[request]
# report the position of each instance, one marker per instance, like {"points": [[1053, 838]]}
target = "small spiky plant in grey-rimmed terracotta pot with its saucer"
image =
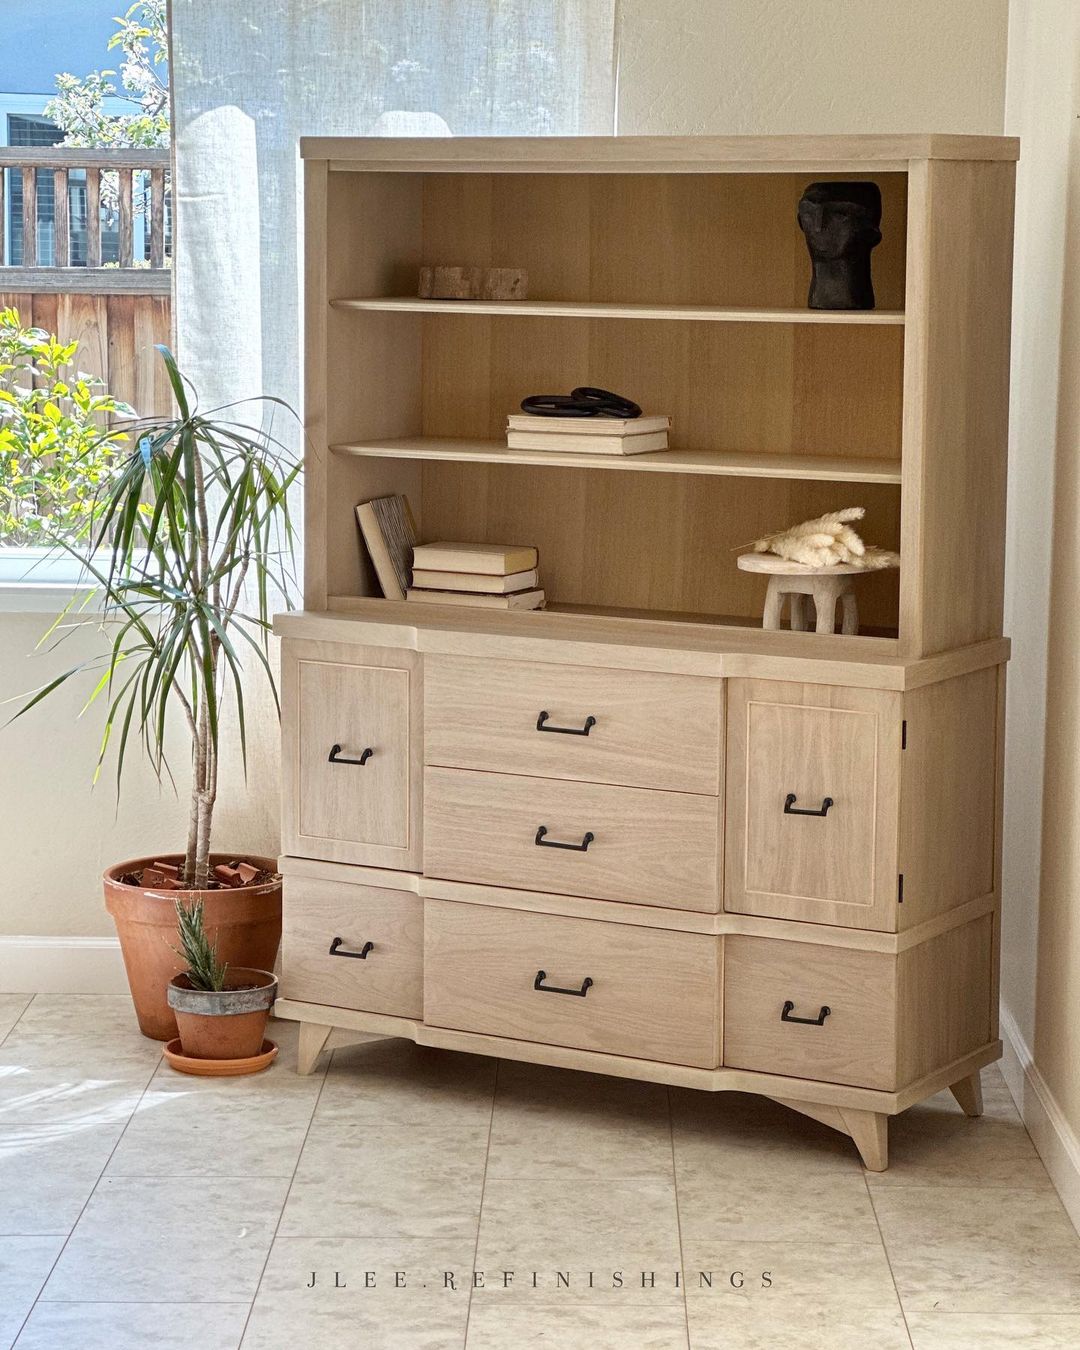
{"points": [[221, 1010]]}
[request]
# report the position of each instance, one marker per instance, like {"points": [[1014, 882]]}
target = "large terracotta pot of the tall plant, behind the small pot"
{"points": [[245, 924]]}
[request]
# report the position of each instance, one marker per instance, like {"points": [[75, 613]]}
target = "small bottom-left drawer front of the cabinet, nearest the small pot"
{"points": [[327, 924]]}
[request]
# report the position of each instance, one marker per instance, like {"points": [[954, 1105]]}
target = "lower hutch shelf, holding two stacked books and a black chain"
{"points": [[715, 462]]}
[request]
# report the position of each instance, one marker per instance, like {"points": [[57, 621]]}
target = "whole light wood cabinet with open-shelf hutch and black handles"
{"points": [[637, 834]]}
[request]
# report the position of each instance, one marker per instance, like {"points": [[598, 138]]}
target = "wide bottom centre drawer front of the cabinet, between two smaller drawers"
{"points": [[654, 994]]}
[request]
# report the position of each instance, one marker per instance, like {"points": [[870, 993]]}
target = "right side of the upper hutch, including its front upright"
{"points": [[956, 404]]}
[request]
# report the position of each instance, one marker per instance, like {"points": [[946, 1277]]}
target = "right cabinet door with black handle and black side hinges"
{"points": [[813, 804]]}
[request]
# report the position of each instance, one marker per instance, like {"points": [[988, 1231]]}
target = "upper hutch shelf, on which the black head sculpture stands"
{"points": [[607, 310]]}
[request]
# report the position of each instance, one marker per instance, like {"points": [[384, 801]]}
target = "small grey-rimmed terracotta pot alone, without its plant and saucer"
{"points": [[223, 1024]]}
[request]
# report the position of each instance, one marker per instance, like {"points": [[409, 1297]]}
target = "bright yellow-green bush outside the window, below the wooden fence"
{"points": [[59, 453]]}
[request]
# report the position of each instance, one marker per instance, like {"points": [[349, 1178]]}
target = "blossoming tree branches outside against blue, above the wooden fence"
{"points": [[144, 75]]}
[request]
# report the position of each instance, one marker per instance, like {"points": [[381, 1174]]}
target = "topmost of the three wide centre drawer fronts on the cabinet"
{"points": [[641, 730]]}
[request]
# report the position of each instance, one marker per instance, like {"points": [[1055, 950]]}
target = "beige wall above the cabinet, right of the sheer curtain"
{"points": [[773, 67]]}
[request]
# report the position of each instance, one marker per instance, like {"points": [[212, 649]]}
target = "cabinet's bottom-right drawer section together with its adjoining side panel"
{"points": [[892, 1020]]}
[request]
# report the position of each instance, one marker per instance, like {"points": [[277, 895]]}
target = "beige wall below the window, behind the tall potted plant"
{"points": [[57, 835]]}
